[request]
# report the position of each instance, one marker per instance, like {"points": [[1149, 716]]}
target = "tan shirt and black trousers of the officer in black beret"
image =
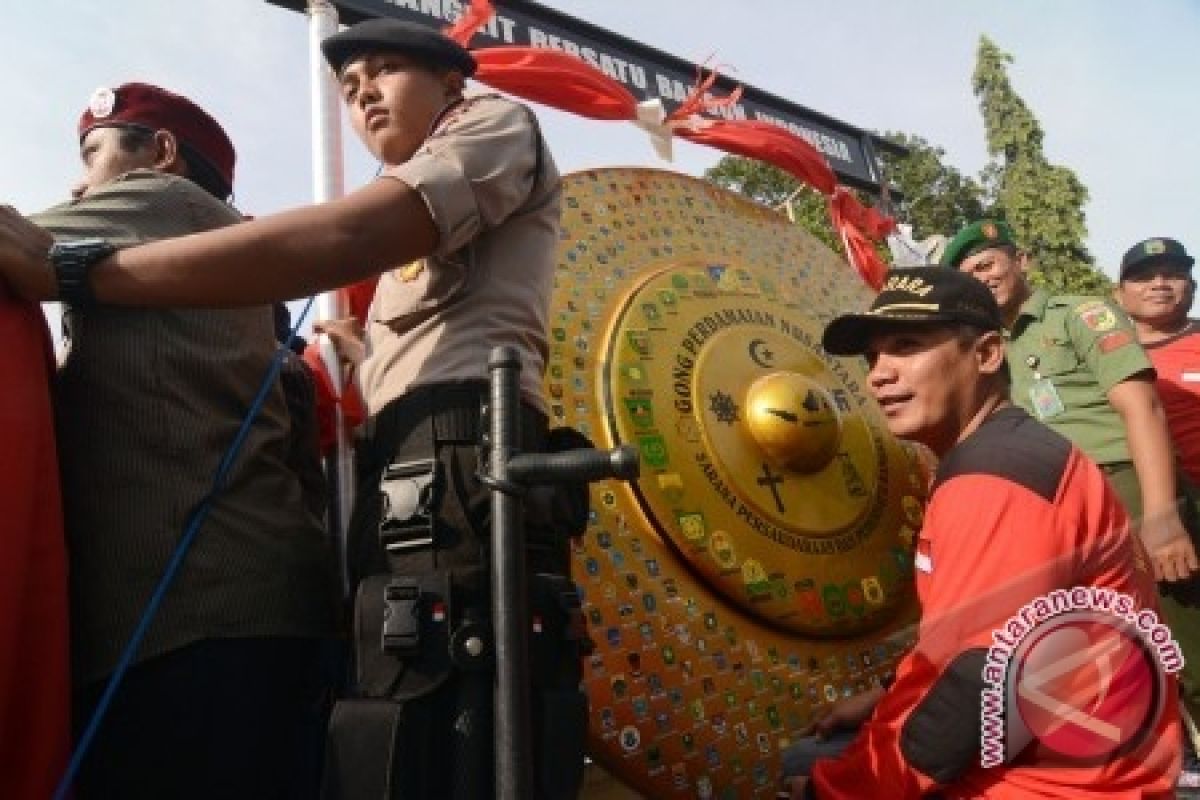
{"points": [[493, 191]]}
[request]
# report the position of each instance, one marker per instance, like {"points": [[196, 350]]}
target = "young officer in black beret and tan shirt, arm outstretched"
{"points": [[464, 224]]}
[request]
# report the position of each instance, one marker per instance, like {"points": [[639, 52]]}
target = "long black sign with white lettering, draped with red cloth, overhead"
{"points": [[645, 71]]}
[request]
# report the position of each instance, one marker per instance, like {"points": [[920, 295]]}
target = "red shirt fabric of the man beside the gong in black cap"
{"points": [[979, 567]]}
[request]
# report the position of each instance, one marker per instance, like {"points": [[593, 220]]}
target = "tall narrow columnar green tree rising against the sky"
{"points": [[1043, 202]]}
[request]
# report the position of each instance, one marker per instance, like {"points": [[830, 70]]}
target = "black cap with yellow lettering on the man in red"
{"points": [[922, 296]]}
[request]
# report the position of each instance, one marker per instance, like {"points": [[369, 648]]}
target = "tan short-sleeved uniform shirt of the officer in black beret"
{"points": [[494, 194]]}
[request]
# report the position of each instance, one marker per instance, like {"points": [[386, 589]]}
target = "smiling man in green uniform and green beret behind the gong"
{"points": [[1078, 368]]}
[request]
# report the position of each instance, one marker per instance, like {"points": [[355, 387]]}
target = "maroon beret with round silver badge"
{"points": [[139, 105]]}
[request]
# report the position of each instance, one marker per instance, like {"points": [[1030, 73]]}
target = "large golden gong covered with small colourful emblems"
{"points": [[761, 564]]}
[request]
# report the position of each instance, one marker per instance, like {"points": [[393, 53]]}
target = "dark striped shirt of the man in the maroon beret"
{"points": [[147, 404]]}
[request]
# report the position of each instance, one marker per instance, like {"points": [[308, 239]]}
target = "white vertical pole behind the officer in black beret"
{"points": [[328, 183]]}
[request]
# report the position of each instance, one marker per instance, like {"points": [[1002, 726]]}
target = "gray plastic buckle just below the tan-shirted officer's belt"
{"points": [[410, 497]]}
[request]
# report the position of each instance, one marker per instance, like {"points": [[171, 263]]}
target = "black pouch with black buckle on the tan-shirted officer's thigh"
{"points": [[403, 629]]}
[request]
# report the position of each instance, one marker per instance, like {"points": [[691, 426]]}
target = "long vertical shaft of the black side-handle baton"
{"points": [[511, 616]]}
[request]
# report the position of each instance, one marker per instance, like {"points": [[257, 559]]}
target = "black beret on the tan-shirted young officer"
{"points": [[383, 35]]}
